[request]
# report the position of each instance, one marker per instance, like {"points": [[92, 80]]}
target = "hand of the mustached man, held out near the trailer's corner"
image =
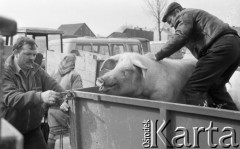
{"points": [[50, 97]]}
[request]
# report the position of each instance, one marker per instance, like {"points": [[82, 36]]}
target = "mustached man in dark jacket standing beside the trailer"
{"points": [[26, 89]]}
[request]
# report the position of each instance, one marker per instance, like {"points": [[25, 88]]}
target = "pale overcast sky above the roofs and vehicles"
{"points": [[104, 16]]}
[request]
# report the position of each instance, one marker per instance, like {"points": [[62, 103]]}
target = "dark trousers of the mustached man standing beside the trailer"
{"points": [[34, 140]]}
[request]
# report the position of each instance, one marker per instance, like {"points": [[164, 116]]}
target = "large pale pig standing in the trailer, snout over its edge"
{"points": [[135, 75]]}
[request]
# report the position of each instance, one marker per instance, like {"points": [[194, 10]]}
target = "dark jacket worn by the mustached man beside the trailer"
{"points": [[22, 105]]}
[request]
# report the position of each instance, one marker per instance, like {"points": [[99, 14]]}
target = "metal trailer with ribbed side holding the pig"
{"points": [[100, 121]]}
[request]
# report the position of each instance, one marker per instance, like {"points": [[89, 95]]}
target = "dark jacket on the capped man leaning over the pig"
{"points": [[197, 30]]}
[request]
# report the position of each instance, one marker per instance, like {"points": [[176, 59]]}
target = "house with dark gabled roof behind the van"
{"points": [[76, 30]]}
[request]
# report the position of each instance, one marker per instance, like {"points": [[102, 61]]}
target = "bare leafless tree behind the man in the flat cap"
{"points": [[156, 9]]}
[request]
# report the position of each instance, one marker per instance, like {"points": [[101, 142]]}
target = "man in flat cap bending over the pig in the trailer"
{"points": [[213, 43]]}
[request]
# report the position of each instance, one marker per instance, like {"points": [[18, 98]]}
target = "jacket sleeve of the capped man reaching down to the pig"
{"points": [[184, 26]]}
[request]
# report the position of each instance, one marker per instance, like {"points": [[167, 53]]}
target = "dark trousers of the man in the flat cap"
{"points": [[212, 72]]}
